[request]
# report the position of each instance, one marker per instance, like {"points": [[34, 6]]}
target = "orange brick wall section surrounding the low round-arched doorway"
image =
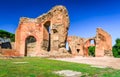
{"points": [[28, 27]]}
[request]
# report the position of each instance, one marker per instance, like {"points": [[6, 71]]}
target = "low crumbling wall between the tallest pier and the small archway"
{"points": [[79, 46]]}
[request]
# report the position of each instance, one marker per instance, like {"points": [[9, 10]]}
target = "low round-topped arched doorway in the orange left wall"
{"points": [[30, 44]]}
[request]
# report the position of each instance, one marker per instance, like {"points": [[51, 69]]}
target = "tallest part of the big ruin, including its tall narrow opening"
{"points": [[57, 22]]}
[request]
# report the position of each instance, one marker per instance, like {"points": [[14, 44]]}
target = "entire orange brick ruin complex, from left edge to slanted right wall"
{"points": [[48, 34]]}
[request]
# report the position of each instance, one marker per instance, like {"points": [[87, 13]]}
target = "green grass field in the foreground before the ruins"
{"points": [[42, 67]]}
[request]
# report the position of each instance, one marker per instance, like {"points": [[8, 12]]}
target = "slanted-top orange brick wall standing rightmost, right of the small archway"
{"points": [[103, 43]]}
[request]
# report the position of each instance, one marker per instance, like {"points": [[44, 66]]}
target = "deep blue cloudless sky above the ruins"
{"points": [[85, 15]]}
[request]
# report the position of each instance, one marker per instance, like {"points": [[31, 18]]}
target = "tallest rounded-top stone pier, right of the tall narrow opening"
{"points": [[59, 28]]}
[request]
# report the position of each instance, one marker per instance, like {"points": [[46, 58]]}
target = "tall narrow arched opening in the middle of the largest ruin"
{"points": [[46, 36]]}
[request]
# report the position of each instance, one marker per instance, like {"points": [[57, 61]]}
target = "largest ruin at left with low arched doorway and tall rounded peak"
{"points": [[47, 32]]}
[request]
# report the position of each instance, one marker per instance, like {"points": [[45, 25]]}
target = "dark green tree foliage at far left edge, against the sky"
{"points": [[7, 34]]}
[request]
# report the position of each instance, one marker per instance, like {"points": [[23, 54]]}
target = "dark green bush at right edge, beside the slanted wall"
{"points": [[116, 48]]}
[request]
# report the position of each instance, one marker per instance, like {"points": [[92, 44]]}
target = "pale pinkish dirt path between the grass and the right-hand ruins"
{"points": [[95, 61]]}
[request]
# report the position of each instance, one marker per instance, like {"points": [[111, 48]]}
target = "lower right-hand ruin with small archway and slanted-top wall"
{"points": [[102, 42]]}
